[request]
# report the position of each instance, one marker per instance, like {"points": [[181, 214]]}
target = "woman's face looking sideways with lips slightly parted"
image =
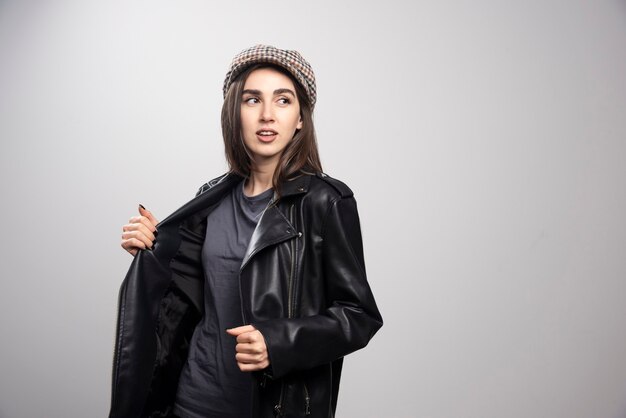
{"points": [[270, 115]]}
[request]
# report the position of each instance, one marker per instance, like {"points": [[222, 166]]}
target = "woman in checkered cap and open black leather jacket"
{"points": [[248, 297]]}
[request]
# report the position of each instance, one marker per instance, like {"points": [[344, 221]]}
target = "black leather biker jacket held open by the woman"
{"points": [[303, 285]]}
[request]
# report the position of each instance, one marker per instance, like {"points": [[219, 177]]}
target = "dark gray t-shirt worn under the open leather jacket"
{"points": [[211, 385]]}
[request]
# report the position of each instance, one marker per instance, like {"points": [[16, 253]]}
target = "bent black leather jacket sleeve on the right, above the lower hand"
{"points": [[351, 317]]}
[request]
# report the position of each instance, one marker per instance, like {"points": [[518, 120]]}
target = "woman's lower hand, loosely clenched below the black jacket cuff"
{"points": [[251, 349]]}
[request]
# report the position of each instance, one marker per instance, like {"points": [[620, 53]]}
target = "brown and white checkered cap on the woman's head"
{"points": [[291, 61]]}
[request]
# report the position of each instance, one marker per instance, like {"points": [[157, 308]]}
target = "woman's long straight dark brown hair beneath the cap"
{"points": [[299, 156]]}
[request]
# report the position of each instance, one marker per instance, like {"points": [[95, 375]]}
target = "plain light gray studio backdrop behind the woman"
{"points": [[485, 142]]}
